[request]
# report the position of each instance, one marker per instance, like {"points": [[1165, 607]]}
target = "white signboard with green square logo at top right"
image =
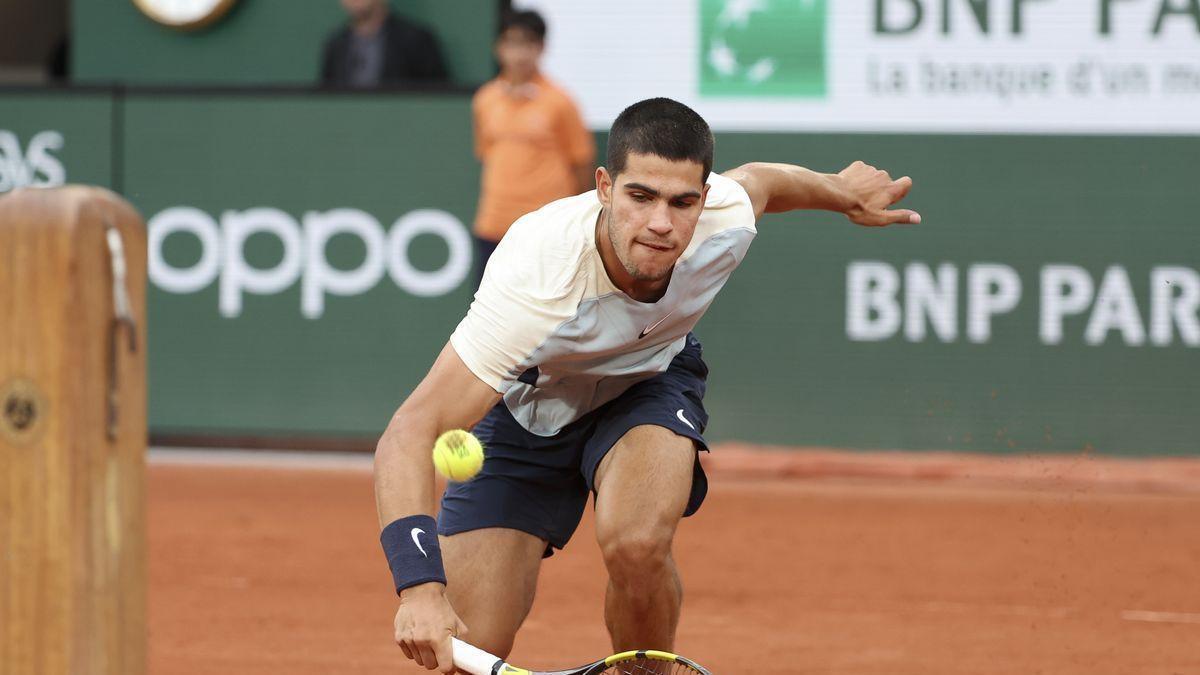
{"points": [[1075, 67]]}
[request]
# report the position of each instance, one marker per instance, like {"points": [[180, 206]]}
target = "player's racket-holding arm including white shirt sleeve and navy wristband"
{"points": [[527, 291]]}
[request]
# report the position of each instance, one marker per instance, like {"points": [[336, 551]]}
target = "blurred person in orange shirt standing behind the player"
{"points": [[529, 135]]}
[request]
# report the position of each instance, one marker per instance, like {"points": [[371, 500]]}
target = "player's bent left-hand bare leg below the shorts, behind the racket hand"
{"points": [[491, 578]]}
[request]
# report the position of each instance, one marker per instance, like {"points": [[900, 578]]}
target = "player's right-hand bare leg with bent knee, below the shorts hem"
{"points": [[643, 489]]}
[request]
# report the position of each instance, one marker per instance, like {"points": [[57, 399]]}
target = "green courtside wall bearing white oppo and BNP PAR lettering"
{"points": [[308, 258]]}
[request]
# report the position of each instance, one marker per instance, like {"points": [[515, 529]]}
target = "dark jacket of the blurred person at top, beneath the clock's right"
{"points": [[411, 53]]}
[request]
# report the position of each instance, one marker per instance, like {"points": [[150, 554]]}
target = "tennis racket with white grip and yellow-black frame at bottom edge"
{"points": [[645, 662]]}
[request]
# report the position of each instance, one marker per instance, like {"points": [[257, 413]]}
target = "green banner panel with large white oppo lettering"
{"points": [[309, 256]]}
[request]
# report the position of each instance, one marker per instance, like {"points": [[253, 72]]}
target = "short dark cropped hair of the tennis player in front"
{"points": [[663, 128]]}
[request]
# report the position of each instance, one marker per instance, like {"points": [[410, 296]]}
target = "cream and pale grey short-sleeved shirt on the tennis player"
{"points": [[551, 333]]}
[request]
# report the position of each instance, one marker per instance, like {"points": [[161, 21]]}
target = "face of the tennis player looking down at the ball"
{"points": [[651, 213]]}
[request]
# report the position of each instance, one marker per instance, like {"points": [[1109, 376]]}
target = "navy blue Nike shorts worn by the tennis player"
{"points": [[541, 485]]}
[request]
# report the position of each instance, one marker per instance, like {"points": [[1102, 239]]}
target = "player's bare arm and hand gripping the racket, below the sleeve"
{"points": [[451, 397]]}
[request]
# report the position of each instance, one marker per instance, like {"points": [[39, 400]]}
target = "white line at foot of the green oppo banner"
{"points": [[262, 459]]}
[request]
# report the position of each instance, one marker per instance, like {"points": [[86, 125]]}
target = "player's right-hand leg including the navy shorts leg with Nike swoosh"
{"points": [[641, 464]]}
